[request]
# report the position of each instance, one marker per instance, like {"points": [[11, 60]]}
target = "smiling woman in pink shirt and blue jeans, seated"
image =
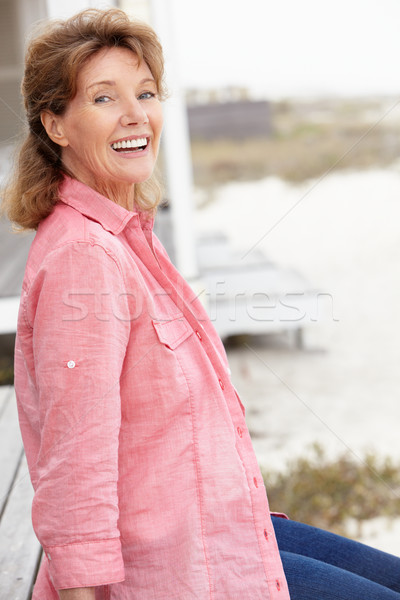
{"points": [[146, 484]]}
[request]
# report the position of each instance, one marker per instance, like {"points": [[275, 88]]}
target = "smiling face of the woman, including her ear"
{"points": [[110, 132]]}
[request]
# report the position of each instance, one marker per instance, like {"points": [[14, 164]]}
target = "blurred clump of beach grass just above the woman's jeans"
{"points": [[334, 493]]}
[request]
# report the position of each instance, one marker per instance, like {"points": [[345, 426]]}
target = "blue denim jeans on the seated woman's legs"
{"points": [[323, 566]]}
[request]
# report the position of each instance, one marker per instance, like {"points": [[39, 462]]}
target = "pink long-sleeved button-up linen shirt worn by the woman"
{"points": [[146, 483]]}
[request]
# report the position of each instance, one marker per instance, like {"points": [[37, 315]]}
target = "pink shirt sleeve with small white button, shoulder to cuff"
{"points": [[77, 310]]}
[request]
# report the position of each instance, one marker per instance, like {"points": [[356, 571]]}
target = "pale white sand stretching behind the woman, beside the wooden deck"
{"points": [[342, 390]]}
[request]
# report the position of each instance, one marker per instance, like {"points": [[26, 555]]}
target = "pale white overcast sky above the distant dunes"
{"points": [[290, 47]]}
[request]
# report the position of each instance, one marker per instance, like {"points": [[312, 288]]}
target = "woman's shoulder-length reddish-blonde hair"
{"points": [[52, 63]]}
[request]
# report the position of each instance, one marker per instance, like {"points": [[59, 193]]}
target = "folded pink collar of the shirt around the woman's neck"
{"points": [[111, 216]]}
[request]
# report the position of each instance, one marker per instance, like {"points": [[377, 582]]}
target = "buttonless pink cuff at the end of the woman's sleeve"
{"points": [[85, 564]]}
